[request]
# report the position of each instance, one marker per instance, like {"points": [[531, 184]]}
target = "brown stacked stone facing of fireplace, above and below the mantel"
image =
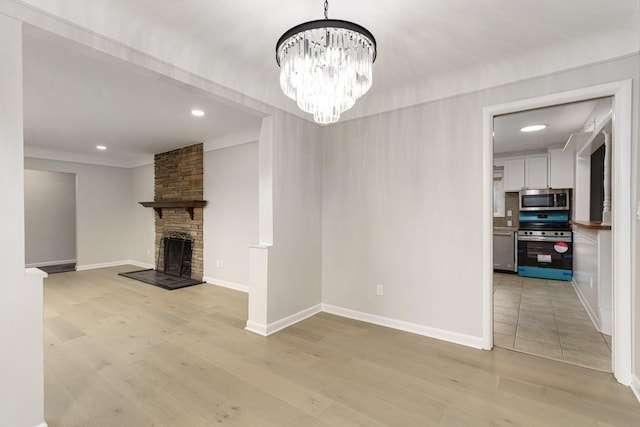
{"points": [[178, 176]]}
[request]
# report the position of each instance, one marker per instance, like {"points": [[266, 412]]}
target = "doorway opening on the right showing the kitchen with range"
{"points": [[539, 309]]}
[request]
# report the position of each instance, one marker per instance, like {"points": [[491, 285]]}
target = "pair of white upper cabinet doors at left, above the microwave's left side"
{"points": [[525, 173]]}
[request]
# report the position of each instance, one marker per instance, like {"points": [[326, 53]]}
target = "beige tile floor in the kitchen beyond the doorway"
{"points": [[546, 318]]}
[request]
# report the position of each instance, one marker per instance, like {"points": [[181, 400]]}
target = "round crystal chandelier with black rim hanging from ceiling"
{"points": [[325, 65]]}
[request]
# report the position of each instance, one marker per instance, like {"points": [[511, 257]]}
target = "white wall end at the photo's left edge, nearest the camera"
{"points": [[21, 354]]}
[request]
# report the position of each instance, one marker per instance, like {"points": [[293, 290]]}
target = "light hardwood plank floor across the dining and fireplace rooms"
{"points": [[123, 353]]}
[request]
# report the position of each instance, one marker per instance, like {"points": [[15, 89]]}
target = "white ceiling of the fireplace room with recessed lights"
{"points": [[75, 100]]}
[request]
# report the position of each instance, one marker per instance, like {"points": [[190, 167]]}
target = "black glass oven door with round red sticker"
{"points": [[545, 255]]}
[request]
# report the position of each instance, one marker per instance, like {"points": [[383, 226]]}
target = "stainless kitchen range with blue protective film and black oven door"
{"points": [[545, 245]]}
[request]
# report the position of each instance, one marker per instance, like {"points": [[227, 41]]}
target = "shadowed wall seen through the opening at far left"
{"points": [[50, 217]]}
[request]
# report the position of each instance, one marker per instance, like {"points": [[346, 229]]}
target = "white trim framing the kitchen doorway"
{"points": [[621, 209]]}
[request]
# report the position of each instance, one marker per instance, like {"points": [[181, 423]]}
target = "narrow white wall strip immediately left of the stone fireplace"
{"points": [[142, 220]]}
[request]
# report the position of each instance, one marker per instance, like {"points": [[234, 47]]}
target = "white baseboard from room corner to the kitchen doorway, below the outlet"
{"points": [[454, 337]]}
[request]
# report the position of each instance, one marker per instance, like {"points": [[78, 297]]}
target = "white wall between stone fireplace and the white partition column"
{"points": [[231, 214]]}
